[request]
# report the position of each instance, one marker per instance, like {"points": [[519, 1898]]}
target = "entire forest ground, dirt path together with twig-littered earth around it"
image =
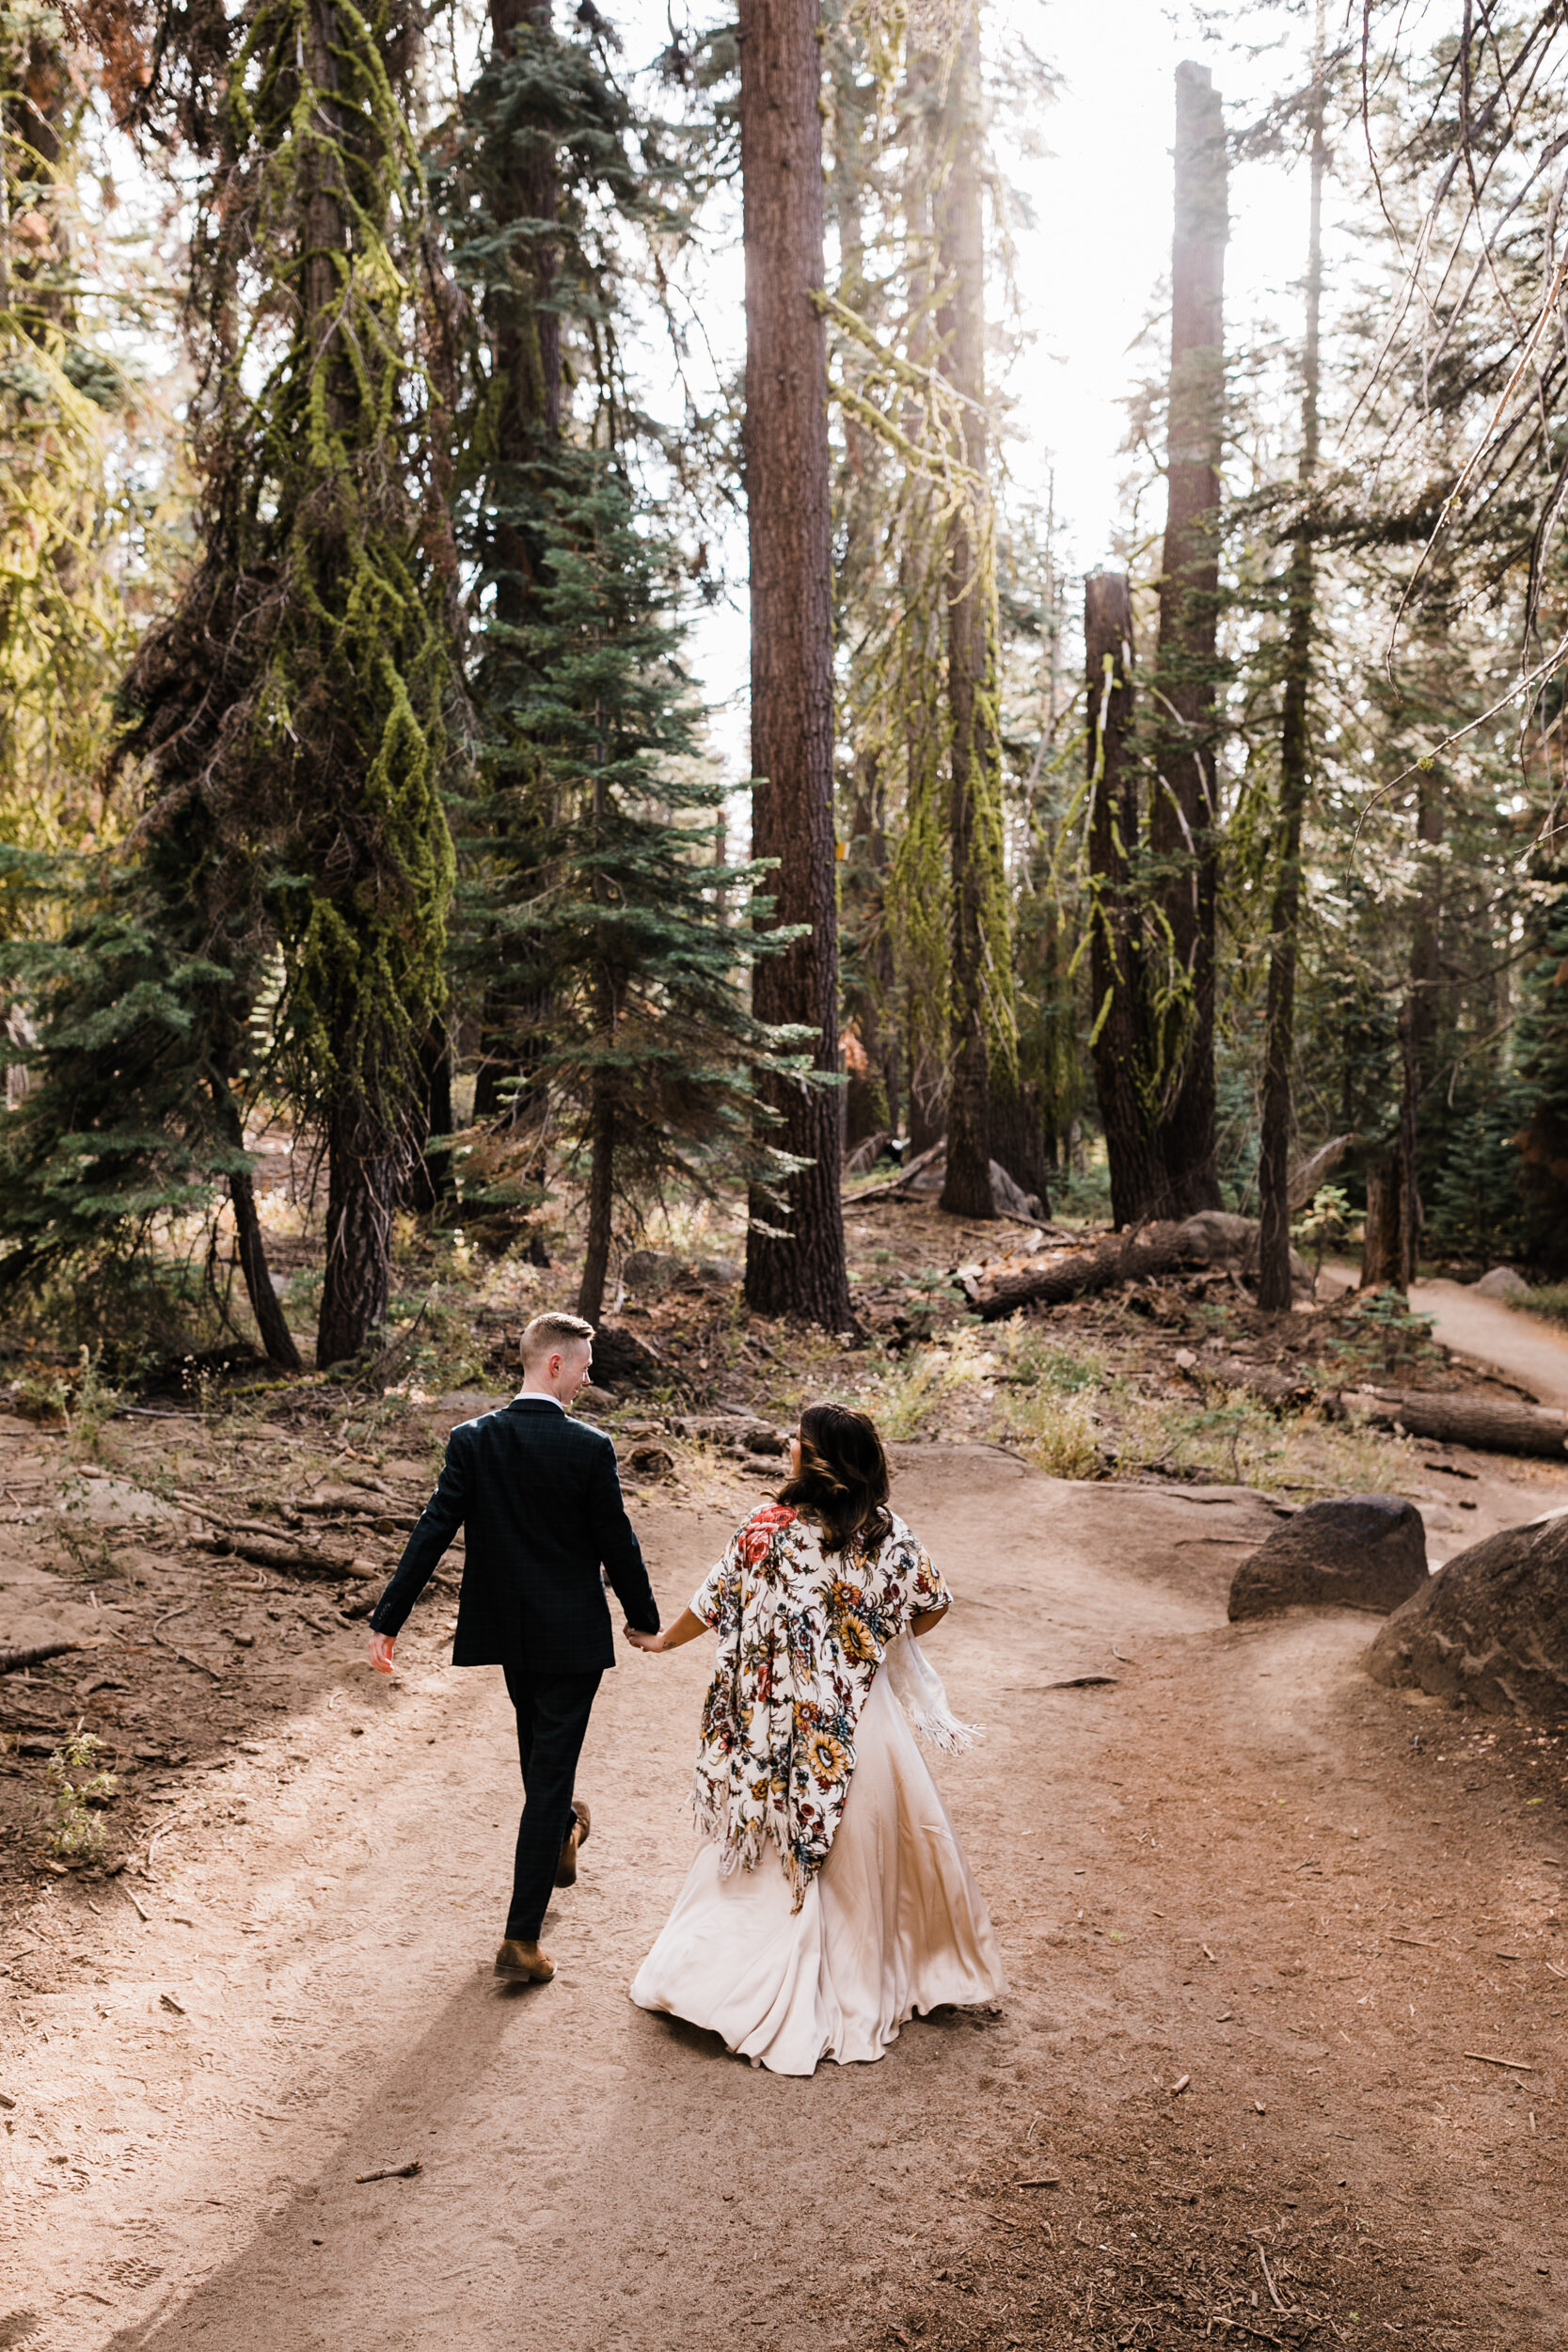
{"points": [[1266, 1923]]}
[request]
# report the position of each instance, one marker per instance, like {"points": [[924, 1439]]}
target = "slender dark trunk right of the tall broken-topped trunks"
{"points": [[1294, 784]]}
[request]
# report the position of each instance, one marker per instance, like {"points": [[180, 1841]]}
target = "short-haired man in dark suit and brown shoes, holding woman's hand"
{"points": [[542, 1504]]}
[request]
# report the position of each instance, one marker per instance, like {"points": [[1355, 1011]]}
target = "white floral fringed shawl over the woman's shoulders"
{"points": [[800, 1643]]}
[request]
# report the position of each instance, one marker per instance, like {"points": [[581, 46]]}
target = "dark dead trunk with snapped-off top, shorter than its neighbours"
{"points": [[1120, 1020]]}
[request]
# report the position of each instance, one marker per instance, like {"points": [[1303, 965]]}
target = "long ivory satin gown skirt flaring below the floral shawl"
{"points": [[892, 1925]]}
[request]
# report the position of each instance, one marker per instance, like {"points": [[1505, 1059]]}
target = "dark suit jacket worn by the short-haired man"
{"points": [[542, 1504]]}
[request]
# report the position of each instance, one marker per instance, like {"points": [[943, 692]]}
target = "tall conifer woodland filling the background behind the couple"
{"points": [[359, 801]]}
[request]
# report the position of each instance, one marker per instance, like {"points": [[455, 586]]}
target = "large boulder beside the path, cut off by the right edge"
{"points": [[1492, 1629]]}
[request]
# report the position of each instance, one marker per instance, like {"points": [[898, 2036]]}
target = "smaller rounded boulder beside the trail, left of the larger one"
{"points": [[1362, 1551]]}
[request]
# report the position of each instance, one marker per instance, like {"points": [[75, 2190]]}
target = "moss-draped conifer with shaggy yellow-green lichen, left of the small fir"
{"points": [[304, 690]]}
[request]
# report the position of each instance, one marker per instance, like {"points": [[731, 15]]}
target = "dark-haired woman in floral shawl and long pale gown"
{"points": [[831, 1897]]}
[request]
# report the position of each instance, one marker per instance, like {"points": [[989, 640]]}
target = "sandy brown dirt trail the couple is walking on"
{"points": [[1240, 1866]]}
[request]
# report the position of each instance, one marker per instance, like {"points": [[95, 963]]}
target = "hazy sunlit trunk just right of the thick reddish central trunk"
{"points": [[972, 655]]}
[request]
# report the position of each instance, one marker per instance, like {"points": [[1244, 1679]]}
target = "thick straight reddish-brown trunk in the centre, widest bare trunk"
{"points": [[796, 1271]]}
